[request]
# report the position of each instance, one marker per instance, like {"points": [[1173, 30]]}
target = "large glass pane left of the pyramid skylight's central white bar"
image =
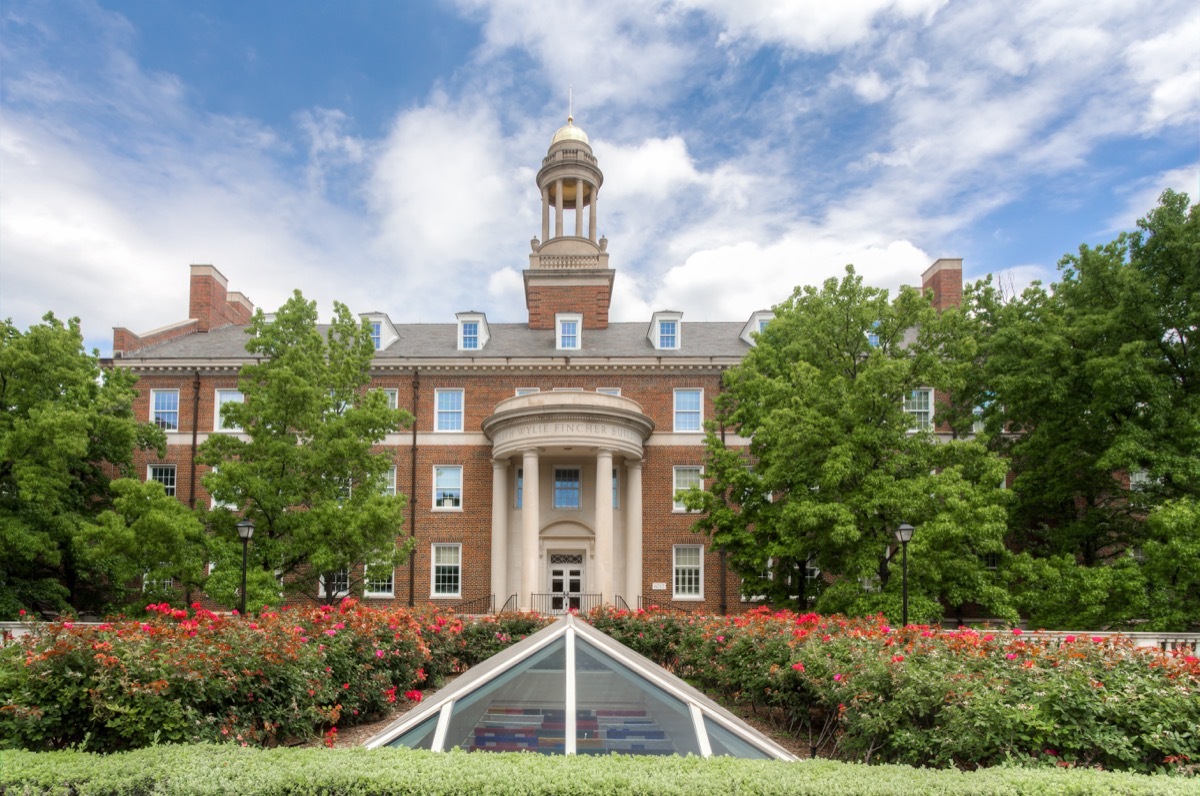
{"points": [[524, 710]]}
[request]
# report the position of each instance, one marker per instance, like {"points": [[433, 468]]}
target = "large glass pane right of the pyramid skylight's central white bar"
{"points": [[620, 711]]}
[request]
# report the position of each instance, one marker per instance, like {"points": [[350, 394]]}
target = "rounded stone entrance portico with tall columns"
{"points": [[567, 492]]}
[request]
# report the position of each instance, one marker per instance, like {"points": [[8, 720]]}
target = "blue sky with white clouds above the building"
{"points": [[383, 154]]}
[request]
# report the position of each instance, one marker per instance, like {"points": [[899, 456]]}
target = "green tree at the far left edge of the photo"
{"points": [[67, 427]]}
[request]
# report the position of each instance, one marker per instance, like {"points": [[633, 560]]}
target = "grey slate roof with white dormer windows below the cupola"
{"points": [[508, 340]]}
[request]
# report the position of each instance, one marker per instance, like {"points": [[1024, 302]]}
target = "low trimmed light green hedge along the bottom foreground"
{"points": [[200, 770]]}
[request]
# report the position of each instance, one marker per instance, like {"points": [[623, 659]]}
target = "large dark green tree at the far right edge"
{"points": [[1096, 399]]}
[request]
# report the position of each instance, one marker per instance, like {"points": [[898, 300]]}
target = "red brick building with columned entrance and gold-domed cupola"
{"points": [[547, 456]]}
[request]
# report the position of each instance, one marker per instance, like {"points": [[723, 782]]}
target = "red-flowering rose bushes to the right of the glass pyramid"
{"points": [[922, 696]]}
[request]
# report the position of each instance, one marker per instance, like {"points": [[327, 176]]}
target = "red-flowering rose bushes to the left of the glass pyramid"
{"points": [[189, 677]]}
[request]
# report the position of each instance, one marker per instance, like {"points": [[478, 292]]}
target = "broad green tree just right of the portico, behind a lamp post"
{"points": [[836, 463]]}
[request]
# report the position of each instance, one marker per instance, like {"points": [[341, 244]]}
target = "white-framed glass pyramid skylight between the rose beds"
{"points": [[573, 690]]}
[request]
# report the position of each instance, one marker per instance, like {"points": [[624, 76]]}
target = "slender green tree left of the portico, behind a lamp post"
{"points": [[303, 469]]}
